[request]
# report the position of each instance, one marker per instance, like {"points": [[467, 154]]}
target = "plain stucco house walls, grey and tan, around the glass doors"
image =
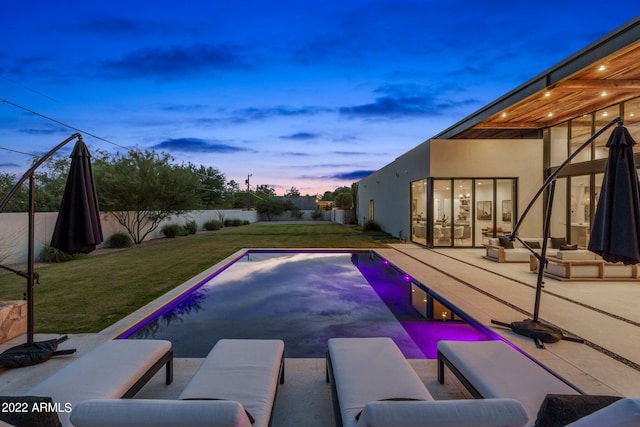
{"points": [[389, 187]]}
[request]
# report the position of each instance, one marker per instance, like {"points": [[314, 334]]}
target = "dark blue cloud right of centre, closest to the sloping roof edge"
{"points": [[399, 101]]}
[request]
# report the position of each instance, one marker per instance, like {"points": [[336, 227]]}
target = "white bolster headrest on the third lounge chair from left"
{"points": [[444, 413]]}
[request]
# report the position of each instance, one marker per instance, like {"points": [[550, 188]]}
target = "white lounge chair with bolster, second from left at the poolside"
{"points": [[235, 386]]}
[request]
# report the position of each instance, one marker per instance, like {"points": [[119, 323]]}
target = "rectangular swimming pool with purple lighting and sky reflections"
{"points": [[305, 298]]}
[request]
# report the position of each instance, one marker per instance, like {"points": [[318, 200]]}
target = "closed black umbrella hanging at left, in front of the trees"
{"points": [[78, 227]]}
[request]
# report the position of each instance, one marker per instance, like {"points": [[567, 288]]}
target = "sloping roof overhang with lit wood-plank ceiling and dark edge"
{"points": [[602, 74]]}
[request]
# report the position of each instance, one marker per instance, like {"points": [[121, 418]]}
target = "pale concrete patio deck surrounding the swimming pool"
{"points": [[602, 313]]}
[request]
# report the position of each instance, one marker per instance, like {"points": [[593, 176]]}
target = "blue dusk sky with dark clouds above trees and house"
{"points": [[312, 95]]}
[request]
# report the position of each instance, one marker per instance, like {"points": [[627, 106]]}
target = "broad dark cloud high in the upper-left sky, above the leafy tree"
{"points": [[175, 61]]}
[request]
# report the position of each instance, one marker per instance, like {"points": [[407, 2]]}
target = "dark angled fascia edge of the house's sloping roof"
{"points": [[617, 39]]}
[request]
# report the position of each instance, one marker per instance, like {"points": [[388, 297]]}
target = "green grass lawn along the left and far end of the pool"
{"points": [[88, 294]]}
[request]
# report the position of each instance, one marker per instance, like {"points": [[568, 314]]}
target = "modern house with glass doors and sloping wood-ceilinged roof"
{"points": [[471, 181]]}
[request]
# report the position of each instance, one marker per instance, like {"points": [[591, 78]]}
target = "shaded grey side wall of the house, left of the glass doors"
{"points": [[389, 188]]}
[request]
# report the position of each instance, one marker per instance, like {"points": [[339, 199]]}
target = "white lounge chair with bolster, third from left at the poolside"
{"points": [[372, 384]]}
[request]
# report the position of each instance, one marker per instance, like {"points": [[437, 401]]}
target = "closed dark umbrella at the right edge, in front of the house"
{"points": [[615, 233]]}
